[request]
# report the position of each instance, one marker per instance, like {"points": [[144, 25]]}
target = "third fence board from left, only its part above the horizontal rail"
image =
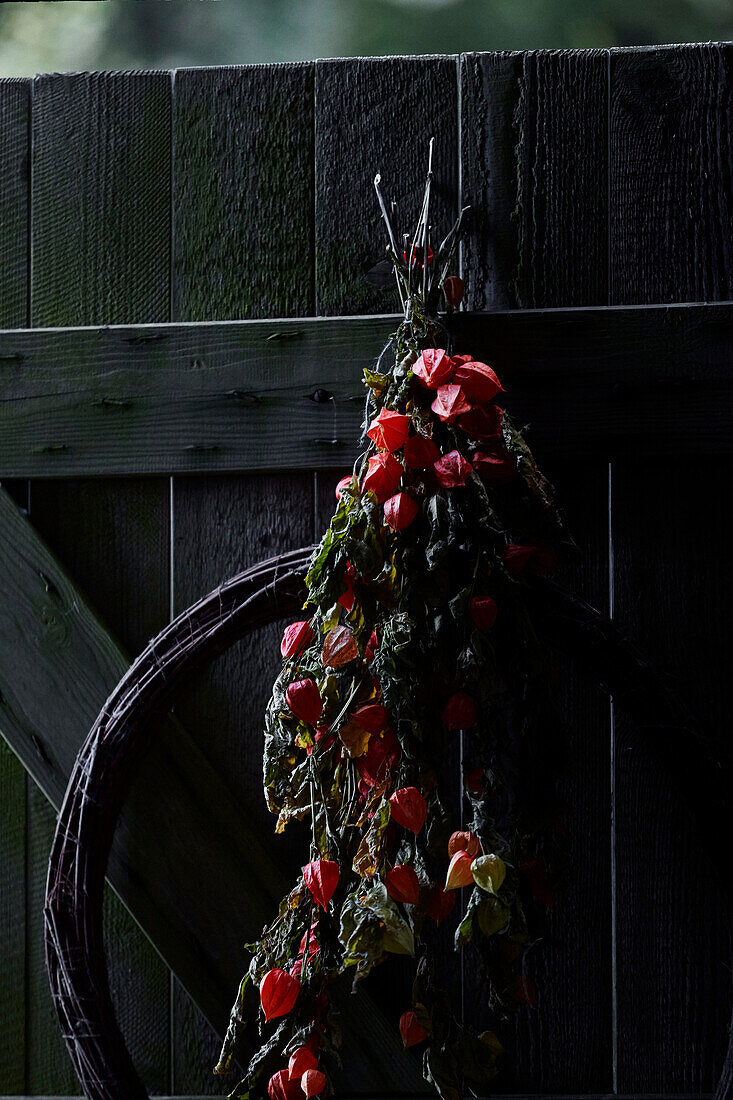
{"points": [[244, 192]]}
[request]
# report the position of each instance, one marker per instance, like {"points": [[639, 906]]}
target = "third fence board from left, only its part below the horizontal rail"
{"points": [[224, 525]]}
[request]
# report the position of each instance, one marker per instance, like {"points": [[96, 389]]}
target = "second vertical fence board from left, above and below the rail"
{"points": [[102, 232]]}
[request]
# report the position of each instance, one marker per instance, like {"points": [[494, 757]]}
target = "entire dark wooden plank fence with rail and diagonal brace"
{"points": [[155, 461]]}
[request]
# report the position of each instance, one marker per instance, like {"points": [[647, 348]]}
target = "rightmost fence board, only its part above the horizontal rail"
{"points": [[672, 174]]}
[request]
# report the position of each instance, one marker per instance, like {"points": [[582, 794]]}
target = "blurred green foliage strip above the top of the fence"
{"points": [[104, 35]]}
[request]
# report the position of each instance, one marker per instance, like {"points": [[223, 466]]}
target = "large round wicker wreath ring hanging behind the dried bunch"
{"points": [[97, 788]]}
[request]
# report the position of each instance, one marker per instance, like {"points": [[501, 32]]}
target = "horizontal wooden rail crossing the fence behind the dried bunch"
{"points": [[262, 395]]}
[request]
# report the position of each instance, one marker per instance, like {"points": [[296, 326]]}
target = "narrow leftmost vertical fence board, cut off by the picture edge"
{"points": [[15, 146]]}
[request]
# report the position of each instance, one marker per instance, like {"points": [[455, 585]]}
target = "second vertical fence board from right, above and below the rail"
{"points": [[534, 170]]}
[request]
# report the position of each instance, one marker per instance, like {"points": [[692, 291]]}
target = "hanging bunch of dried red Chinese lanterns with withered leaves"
{"points": [[418, 641]]}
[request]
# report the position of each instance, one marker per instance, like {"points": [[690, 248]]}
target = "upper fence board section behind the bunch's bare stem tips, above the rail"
{"points": [[400, 104]]}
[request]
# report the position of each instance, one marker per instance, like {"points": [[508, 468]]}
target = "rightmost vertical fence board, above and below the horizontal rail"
{"points": [[671, 188]]}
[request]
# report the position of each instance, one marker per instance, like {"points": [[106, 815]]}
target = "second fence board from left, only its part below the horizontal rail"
{"points": [[115, 537]]}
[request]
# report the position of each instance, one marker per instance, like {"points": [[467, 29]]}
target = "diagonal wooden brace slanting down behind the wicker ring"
{"points": [[58, 667]]}
